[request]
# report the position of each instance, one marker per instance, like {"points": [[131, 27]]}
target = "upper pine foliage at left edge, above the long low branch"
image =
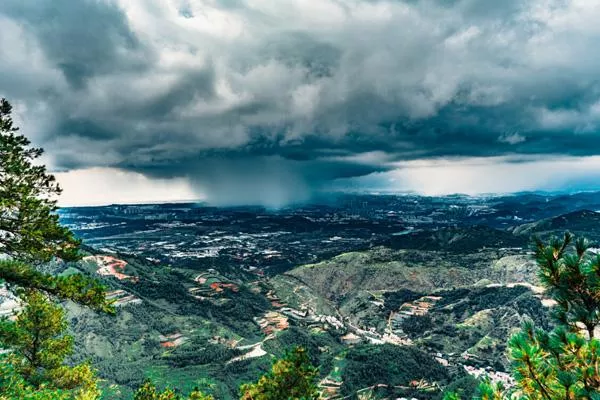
{"points": [[29, 227]]}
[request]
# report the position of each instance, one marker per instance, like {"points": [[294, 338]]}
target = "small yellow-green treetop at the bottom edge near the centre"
{"points": [[292, 377]]}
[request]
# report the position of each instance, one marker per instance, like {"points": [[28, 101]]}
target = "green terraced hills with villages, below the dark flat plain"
{"points": [[216, 330]]}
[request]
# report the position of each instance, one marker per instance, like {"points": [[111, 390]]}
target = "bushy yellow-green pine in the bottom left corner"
{"points": [[39, 347]]}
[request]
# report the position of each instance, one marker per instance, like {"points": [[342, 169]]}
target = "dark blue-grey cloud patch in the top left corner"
{"points": [[81, 38]]}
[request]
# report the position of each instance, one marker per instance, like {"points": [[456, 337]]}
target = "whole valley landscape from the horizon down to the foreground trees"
{"points": [[401, 295]]}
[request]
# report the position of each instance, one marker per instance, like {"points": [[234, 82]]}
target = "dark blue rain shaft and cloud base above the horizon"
{"points": [[272, 181]]}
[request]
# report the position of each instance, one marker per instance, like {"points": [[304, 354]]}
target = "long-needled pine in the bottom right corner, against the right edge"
{"points": [[564, 363]]}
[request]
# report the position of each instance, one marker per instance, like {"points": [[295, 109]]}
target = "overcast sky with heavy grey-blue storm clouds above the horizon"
{"points": [[268, 101]]}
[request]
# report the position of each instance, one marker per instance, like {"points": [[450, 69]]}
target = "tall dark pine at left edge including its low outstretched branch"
{"points": [[29, 228]]}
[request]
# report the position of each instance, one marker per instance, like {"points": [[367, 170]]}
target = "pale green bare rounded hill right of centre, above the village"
{"points": [[426, 271]]}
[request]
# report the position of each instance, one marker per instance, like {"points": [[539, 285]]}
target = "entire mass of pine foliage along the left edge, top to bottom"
{"points": [[35, 366]]}
